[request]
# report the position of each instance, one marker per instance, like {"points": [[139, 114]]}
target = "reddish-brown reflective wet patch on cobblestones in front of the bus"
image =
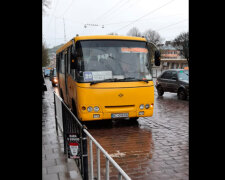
{"points": [[129, 145]]}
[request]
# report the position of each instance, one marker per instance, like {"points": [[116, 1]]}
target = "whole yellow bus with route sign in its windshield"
{"points": [[106, 77]]}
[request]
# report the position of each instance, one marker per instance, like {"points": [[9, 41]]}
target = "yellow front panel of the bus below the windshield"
{"points": [[114, 100]]}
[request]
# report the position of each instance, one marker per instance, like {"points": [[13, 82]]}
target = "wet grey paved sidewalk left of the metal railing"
{"points": [[55, 165]]}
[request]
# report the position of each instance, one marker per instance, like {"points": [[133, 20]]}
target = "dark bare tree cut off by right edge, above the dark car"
{"points": [[181, 42]]}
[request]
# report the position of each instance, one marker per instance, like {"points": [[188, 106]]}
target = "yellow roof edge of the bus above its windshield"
{"points": [[78, 38]]}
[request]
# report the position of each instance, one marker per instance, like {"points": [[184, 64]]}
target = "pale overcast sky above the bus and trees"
{"points": [[168, 17]]}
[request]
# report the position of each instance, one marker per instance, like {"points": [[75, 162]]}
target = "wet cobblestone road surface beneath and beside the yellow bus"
{"points": [[151, 148]]}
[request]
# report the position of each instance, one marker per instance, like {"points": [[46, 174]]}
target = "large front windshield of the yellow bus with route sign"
{"points": [[102, 60]]}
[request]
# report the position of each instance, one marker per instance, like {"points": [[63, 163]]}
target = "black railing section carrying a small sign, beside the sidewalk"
{"points": [[75, 140]]}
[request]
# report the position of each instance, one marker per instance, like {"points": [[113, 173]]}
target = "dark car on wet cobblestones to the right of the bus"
{"points": [[174, 81]]}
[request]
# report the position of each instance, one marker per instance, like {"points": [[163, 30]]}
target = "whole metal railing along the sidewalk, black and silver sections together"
{"points": [[76, 138]]}
